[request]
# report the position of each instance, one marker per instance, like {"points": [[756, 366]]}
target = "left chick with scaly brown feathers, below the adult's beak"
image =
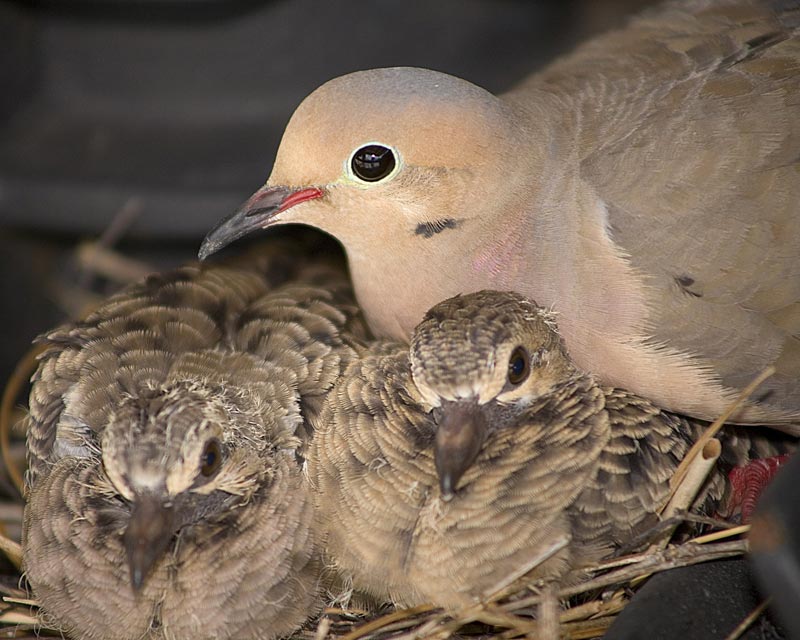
{"points": [[165, 496]]}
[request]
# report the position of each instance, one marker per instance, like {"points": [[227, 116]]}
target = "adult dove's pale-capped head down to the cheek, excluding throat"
{"points": [[404, 150]]}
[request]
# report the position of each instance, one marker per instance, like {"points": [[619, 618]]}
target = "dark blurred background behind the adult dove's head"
{"points": [[148, 121]]}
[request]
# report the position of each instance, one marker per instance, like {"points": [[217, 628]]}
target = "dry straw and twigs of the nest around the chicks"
{"points": [[583, 605]]}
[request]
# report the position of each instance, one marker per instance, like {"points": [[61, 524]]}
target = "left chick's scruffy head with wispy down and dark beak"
{"points": [[189, 451]]}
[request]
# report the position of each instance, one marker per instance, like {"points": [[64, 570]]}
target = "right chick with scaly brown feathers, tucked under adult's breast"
{"points": [[441, 470]]}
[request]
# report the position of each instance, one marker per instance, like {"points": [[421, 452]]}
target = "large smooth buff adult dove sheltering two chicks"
{"points": [[645, 186]]}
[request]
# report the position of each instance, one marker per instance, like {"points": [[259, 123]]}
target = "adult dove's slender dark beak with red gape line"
{"points": [[257, 213]]}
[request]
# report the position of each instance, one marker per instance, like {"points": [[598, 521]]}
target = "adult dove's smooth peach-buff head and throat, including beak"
{"points": [[393, 162]]}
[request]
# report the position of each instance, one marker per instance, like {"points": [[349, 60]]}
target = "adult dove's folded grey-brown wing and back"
{"points": [[686, 129]]}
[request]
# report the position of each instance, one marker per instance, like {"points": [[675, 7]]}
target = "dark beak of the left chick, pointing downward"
{"points": [[149, 533]]}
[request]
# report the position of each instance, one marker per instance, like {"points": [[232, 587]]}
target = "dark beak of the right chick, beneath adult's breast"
{"points": [[459, 438]]}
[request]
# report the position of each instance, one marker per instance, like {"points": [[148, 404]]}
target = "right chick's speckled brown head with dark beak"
{"points": [[479, 361]]}
